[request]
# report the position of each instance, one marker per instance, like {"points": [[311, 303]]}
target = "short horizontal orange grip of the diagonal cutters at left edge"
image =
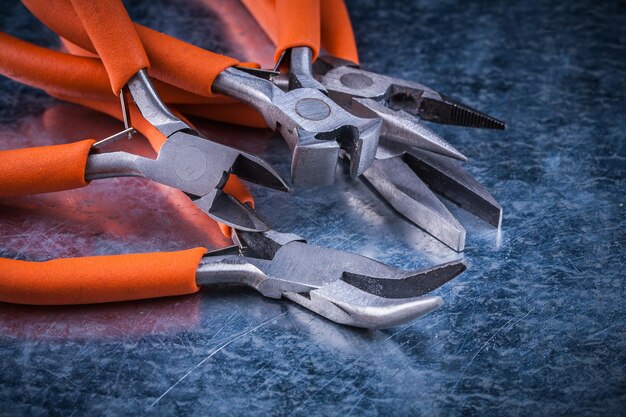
{"points": [[44, 169]]}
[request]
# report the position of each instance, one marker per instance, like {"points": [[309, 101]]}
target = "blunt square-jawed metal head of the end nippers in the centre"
{"points": [[314, 126]]}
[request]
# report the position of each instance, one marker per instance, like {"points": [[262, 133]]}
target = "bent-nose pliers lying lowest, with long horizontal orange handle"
{"points": [[343, 287]]}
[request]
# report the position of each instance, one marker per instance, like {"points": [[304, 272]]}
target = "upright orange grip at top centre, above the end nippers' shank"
{"points": [[298, 24]]}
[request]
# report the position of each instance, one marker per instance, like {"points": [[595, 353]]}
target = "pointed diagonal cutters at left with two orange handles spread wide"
{"points": [[187, 160]]}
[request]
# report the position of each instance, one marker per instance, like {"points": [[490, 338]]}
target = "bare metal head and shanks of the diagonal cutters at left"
{"points": [[188, 161]]}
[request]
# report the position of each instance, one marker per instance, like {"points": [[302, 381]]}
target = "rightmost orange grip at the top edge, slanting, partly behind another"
{"points": [[337, 37]]}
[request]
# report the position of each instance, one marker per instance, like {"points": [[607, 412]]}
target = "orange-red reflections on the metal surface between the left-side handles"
{"points": [[114, 216]]}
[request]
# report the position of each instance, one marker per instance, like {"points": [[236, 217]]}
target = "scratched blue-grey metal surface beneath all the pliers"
{"points": [[536, 326]]}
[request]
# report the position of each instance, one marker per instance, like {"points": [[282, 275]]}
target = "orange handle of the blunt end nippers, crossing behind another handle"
{"points": [[173, 61]]}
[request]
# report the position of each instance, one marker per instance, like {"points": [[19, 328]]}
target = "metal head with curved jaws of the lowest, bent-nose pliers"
{"points": [[343, 287]]}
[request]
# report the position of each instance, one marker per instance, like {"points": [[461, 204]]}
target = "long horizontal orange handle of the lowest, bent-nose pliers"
{"points": [[99, 279]]}
